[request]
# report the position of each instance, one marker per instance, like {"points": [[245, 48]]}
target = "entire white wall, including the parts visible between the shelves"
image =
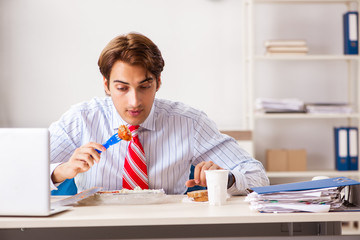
{"points": [[49, 51]]}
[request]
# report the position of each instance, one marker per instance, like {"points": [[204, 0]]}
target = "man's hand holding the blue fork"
{"points": [[82, 160]]}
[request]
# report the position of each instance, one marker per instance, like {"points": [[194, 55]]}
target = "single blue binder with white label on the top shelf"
{"points": [[351, 34]]}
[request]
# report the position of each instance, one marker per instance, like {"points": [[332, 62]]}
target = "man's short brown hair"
{"points": [[133, 49]]}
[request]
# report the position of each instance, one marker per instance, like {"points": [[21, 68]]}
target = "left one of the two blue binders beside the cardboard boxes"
{"points": [[341, 148]]}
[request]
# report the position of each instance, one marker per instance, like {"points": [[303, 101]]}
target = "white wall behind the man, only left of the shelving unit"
{"points": [[49, 51]]}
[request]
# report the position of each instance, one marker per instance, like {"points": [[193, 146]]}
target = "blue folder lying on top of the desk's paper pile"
{"points": [[308, 185]]}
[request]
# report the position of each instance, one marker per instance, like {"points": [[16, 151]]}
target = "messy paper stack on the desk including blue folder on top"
{"points": [[311, 196]]}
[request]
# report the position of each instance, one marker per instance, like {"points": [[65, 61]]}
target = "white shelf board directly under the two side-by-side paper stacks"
{"points": [[303, 116]]}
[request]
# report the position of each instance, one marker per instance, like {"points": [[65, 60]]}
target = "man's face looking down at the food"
{"points": [[132, 90]]}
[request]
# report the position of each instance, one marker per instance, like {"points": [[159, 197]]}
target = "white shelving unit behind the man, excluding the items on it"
{"points": [[263, 74]]}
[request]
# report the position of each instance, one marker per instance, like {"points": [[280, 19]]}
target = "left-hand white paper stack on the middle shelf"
{"points": [[271, 105]]}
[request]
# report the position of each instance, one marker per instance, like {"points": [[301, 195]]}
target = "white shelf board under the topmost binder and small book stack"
{"points": [[308, 57]]}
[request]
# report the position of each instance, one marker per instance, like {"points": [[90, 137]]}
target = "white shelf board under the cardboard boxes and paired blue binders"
{"points": [[313, 174]]}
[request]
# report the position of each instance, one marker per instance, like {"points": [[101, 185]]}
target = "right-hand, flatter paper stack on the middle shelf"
{"points": [[328, 108]]}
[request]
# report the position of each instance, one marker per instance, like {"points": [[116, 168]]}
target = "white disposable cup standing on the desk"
{"points": [[216, 181]]}
